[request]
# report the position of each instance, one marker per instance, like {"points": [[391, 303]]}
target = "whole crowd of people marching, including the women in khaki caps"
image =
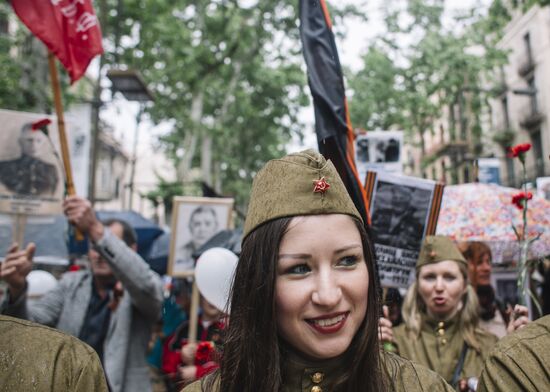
{"points": [[305, 311]]}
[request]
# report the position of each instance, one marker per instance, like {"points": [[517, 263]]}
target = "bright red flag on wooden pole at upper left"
{"points": [[69, 28]]}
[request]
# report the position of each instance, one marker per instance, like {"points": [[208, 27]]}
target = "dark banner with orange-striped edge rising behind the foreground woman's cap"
{"points": [[332, 123]]}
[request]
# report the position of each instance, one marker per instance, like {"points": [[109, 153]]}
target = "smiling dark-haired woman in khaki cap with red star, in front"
{"points": [[304, 306]]}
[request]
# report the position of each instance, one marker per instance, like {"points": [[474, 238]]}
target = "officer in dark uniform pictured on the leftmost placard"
{"points": [[29, 174]]}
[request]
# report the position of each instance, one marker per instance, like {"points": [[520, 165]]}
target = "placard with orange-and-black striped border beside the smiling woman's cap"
{"points": [[403, 211]]}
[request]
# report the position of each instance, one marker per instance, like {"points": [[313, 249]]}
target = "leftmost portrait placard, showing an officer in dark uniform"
{"points": [[31, 174]]}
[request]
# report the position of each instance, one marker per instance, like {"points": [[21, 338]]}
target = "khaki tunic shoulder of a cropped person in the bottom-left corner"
{"points": [[37, 358]]}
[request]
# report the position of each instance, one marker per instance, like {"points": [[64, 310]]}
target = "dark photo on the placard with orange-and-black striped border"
{"points": [[399, 214]]}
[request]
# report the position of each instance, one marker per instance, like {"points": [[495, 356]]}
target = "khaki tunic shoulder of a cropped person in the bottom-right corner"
{"points": [[520, 361]]}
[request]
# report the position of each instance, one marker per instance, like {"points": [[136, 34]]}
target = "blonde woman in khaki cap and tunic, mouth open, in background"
{"points": [[441, 329]]}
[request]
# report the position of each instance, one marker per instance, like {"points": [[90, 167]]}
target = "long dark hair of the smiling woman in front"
{"points": [[252, 356]]}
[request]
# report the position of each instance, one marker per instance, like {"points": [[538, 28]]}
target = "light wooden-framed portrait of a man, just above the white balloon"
{"points": [[195, 220]]}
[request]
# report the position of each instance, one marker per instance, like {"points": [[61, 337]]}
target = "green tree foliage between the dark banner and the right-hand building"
{"points": [[422, 68]]}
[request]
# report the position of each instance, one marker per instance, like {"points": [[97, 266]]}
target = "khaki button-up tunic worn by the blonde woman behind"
{"points": [[439, 346]]}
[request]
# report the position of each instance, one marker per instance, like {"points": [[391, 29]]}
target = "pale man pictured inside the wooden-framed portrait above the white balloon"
{"points": [[203, 224]]}
